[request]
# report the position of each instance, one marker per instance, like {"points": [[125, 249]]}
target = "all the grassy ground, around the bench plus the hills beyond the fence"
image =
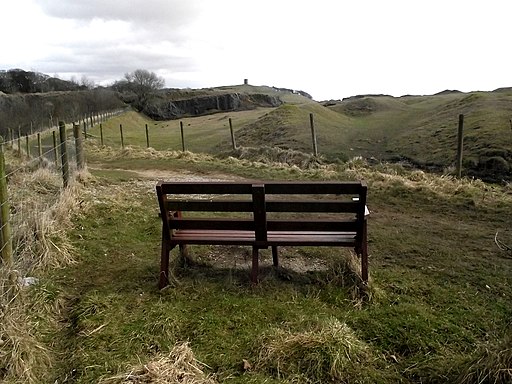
{"points": [[439, 303]]}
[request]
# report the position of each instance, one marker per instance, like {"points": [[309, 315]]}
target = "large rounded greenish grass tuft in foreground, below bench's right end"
{"points": [[329, 352]]}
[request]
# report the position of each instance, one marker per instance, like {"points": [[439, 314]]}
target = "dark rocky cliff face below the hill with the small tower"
{"points": [[166, 109]]}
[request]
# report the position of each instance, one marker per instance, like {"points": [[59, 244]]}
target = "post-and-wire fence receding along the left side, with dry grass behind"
{"points": [[35, 172]]}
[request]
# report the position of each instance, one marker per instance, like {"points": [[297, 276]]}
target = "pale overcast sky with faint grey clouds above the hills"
{"points": [[328, 48]]}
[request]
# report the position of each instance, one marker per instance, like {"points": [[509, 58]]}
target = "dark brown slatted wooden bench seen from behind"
{"points": [[257, 214]]}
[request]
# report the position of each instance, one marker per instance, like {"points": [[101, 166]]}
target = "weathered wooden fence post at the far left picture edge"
{"points": [[6, 234]]}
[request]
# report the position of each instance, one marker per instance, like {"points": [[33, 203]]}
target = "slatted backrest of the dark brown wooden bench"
{"points": [[319, 206]]}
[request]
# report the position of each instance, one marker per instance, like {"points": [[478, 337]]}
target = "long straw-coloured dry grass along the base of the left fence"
{"points": [[41, 214]]}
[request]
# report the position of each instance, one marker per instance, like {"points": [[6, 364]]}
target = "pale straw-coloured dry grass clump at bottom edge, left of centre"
{"points": [[180, 366]]}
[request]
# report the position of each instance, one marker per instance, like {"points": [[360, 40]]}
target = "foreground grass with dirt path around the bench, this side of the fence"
{"points": [[438, 308]]}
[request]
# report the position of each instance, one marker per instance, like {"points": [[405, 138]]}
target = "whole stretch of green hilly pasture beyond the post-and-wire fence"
{"points": [[421, 130]]}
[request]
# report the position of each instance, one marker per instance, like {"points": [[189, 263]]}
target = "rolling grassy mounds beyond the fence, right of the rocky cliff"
{"points": [[416, 130]]}
